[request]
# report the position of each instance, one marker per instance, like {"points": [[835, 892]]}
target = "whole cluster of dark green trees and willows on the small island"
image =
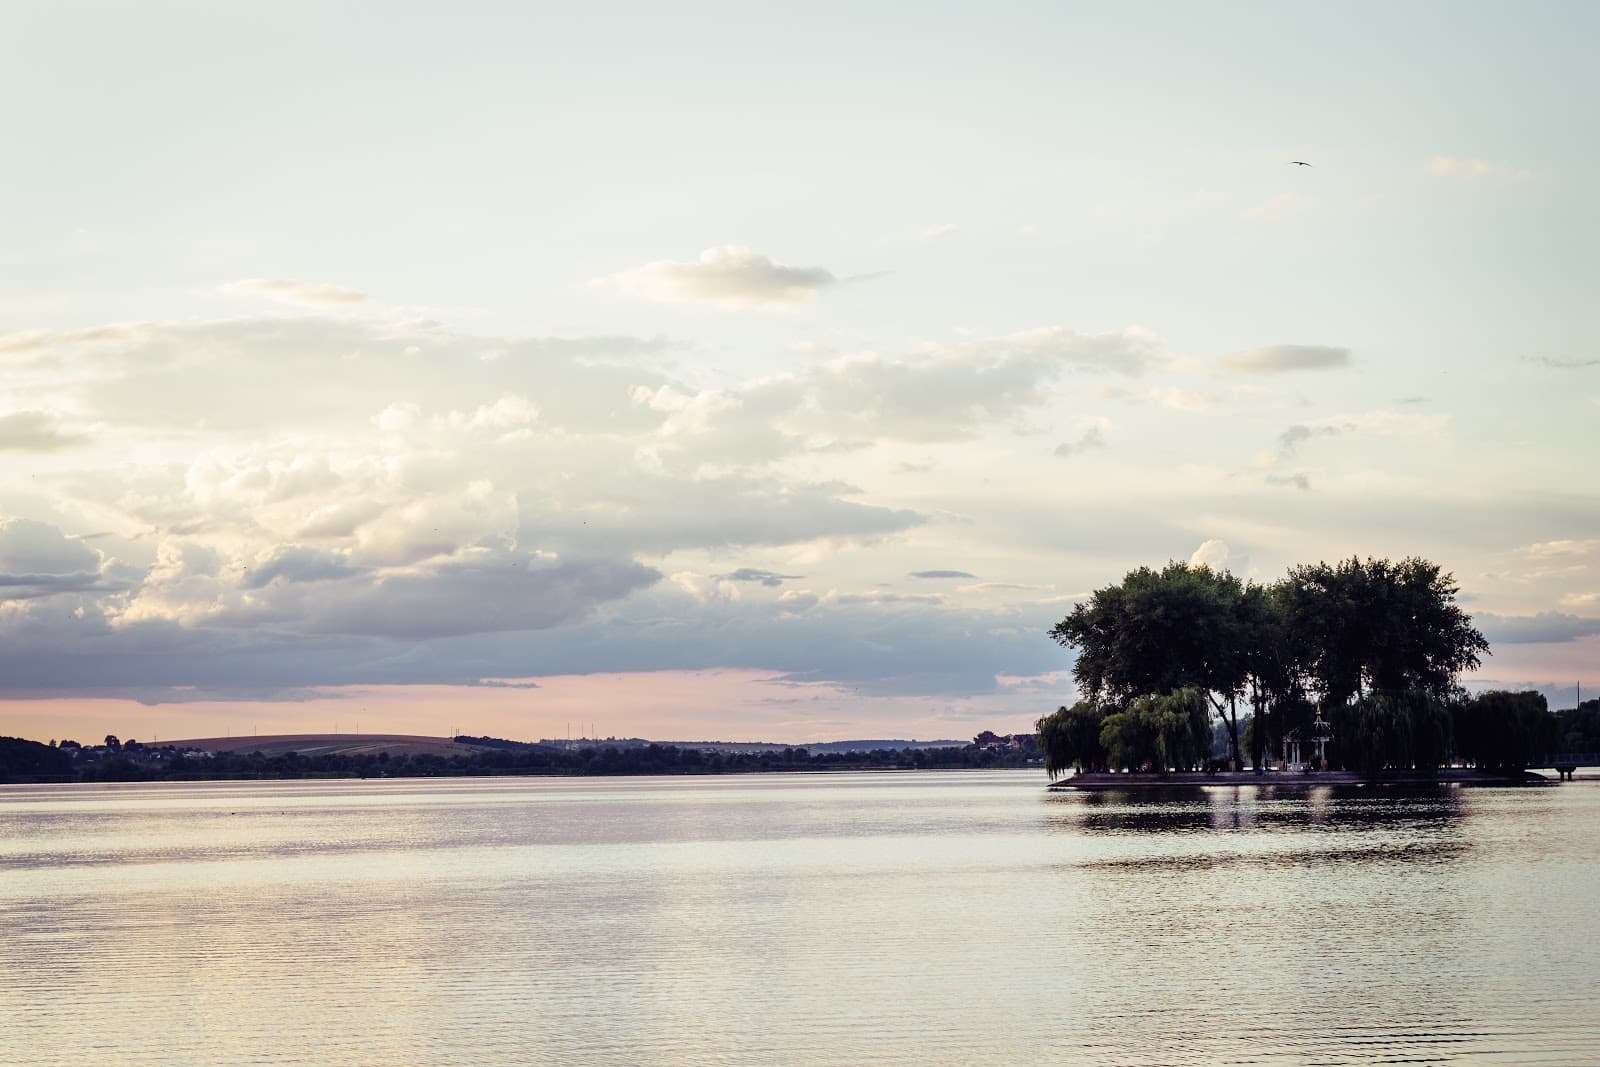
{"points": [[1377, 647]]}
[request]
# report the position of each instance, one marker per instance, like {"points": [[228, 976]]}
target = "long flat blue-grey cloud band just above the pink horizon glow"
{"points": [[871, 644]]}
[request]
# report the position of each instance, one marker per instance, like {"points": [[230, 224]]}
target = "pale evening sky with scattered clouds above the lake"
{"points": [[766, 374]]}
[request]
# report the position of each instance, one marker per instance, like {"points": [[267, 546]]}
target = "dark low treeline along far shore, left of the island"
{"points": [[34, 762]]}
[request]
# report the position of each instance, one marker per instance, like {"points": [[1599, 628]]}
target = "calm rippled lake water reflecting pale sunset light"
{"points": [[852, 919]]}
